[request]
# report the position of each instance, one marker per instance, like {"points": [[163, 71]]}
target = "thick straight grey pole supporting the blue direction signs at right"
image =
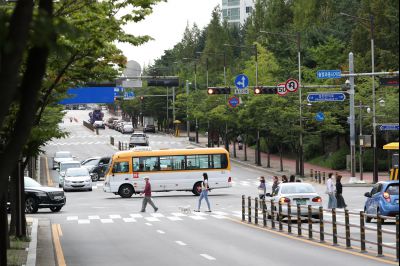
{"points": [[352, 118]]}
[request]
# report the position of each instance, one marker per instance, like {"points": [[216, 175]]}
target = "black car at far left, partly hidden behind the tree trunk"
{"points": [[40, 197]]}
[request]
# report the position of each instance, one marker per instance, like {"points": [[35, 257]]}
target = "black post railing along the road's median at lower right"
{"points": [[271, 214]]}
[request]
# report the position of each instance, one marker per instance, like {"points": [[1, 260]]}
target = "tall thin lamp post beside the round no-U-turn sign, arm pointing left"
{"points": [[298, 42]]}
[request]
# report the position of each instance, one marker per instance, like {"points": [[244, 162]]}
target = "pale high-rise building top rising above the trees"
{"points": [[237, 11]]}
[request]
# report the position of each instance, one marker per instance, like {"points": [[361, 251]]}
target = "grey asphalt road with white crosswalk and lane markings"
{"points": [[97, 228]]}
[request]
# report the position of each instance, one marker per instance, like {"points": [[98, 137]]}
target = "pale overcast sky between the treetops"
{"points": [[166, 25]]}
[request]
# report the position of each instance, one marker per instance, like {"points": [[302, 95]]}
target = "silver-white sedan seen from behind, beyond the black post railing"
{"points": [[297, 193]]}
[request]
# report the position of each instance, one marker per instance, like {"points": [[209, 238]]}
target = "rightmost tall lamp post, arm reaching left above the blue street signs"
{"points": [[371, 21]]}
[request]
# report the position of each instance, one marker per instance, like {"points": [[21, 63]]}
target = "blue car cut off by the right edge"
{"points": [[382, 200]]}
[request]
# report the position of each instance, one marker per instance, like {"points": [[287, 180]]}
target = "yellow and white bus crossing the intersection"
{"points": [[168, 170]]}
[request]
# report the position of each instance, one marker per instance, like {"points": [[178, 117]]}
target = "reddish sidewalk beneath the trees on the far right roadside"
{"points": [[289, 165]]}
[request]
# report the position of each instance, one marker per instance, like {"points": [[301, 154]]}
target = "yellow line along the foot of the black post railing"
{"points": [[355, 253]]}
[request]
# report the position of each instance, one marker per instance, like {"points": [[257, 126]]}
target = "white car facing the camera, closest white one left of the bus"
{"points": [[77, 179]]}
